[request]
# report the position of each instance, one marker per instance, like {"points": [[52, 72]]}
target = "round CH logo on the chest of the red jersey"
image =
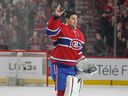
{"points": [[76, 44]]}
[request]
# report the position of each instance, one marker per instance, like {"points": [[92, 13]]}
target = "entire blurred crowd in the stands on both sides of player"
{"points": [[103, 22]]}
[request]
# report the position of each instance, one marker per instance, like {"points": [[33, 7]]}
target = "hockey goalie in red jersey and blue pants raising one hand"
{"points": [[68, 41]]}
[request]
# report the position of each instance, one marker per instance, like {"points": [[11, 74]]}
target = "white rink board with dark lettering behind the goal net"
{"points": [[28, 68]]}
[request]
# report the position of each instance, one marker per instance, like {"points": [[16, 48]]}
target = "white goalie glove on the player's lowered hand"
{"points": [[86, 68]]}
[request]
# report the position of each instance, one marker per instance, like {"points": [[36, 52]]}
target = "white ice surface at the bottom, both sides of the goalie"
{"points": [[49, 91]]}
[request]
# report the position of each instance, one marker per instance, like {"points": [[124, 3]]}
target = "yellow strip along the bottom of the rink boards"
{"points": [[85, 82]]}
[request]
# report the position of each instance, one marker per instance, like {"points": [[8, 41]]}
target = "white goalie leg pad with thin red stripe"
{"points": [[73, 86]]}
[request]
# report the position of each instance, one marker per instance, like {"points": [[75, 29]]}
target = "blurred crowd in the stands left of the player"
{"points": [[22, 23]]}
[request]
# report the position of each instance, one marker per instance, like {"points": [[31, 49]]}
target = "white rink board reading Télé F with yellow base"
{"points": [[111, 71]]}
